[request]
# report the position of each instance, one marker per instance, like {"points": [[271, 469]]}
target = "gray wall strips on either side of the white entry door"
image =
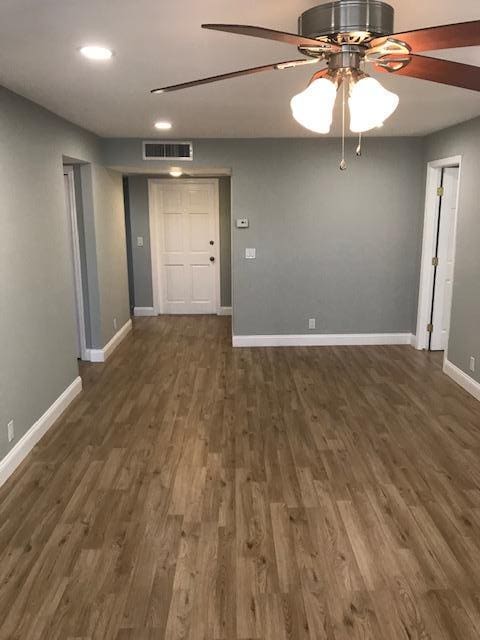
{"points": [[138, 217]]}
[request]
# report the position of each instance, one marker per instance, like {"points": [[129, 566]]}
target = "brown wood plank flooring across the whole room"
{"points": [[198, 492]]}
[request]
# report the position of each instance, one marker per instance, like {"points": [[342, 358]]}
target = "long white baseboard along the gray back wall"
{"points": [[323, 340]]}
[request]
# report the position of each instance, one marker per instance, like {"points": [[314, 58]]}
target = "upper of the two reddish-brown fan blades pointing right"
{"points": [[449, 36]]}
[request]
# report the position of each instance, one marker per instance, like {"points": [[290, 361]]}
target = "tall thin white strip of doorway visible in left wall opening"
{"points": [[75, 261]]}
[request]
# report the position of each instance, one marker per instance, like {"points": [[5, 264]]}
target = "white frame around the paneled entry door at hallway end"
{"points": [[154, 249]]}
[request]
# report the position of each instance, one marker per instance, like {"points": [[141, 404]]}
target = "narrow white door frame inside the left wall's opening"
{"points": [[77, 264]]}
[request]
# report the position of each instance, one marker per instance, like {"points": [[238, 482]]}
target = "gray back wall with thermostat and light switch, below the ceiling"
{"points": [[339, 247]]}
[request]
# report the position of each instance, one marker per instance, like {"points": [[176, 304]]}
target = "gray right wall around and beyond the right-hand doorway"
{"points": [[464, 339]]}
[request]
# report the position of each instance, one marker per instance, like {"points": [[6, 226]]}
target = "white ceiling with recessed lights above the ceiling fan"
{"points": [[160, 42]]}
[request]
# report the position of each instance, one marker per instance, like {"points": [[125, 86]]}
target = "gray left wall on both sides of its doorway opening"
{"points": [[37, 327]]}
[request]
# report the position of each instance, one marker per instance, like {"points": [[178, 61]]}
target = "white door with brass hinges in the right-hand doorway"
{"points": [[442, 301]]}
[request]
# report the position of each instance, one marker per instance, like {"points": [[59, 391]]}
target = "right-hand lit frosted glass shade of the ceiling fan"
{"points": [[370, 105]]}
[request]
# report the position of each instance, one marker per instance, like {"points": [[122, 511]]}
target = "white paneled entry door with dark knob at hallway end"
{"points": [[186, 216]]}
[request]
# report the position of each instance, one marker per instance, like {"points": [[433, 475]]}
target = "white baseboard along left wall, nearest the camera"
{"points": [[23, 447]]}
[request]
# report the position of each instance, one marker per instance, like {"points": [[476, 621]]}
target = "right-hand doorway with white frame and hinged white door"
{"points": [[438, 254]]}
